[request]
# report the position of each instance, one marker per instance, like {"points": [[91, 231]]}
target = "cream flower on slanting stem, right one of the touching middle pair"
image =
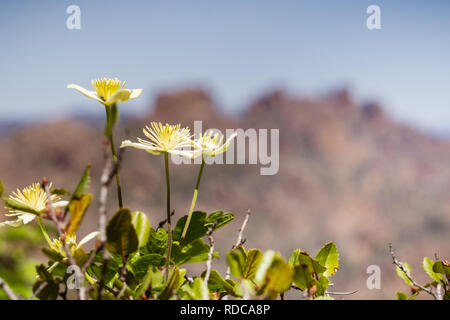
{"points": [[210, 144]]}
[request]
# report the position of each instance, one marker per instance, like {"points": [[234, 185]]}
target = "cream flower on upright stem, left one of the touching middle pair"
{"points": [[164, 138]]}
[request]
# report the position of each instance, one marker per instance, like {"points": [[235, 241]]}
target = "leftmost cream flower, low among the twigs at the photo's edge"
{"points": [[33, 197]]}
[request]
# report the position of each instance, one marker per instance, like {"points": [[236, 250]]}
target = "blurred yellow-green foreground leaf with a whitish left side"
{"points": [[273, 273]]}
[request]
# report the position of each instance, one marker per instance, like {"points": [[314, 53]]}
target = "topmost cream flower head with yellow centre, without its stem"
{"points": [[108, 91]]}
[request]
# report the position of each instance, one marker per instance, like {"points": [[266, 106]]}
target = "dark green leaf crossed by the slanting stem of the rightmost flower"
{"points": [[196, 229]]}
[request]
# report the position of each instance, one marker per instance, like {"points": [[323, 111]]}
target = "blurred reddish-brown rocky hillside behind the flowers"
{"points": [[347, 173]]}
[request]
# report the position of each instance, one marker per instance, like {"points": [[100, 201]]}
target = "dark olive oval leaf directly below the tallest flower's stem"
{"points": [[120, 233]]}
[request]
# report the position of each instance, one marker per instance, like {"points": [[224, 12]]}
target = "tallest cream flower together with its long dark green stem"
{"points": [[110, 92]]}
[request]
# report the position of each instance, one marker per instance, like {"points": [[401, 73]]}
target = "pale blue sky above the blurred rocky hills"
{"points": [[238, 49]]}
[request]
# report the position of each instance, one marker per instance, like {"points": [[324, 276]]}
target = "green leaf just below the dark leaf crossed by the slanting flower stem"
{"points": [[196, 251]]}
